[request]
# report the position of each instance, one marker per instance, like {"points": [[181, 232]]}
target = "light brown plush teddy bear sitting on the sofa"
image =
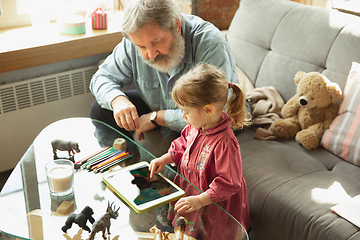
{"points": [[310, 111]]}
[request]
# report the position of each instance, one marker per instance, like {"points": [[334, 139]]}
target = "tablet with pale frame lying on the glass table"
{"points": [[138, 190]]}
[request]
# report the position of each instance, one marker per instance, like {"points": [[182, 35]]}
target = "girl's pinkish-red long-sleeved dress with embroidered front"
{"points": [[210, 159]]}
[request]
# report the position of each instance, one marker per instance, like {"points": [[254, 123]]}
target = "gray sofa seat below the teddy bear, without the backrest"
{"points": [[281, 177]]}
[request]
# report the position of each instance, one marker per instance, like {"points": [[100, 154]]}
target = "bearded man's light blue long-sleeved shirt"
{"points": [[204, 43]]}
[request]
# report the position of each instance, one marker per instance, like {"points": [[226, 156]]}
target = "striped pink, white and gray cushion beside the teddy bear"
{"points": [[342, 137]]}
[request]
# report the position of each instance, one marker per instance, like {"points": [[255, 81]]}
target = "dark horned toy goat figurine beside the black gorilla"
{"points": [[103, 223]]}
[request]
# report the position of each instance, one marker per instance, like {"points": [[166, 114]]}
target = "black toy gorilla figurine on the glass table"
{"points": [[80, 219]]}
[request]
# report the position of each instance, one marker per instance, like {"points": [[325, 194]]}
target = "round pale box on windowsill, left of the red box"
{"points": [[74, 24]]}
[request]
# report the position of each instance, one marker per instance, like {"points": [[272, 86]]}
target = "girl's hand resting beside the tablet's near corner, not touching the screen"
{"points": [[192, 203]]}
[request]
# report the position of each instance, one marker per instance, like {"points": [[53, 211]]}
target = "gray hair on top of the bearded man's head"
{"points": [[140, 12]]}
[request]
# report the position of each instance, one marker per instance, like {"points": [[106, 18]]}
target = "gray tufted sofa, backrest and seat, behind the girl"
{"points": [[272, 40]]}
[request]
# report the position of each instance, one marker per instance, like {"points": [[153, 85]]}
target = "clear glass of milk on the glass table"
{"points": [[60, 178]]}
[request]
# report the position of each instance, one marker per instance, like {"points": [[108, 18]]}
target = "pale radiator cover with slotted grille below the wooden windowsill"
{"points": [[27, 107]]}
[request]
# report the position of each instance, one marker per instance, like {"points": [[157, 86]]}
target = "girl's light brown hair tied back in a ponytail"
{"points": [[206, 84]]}
